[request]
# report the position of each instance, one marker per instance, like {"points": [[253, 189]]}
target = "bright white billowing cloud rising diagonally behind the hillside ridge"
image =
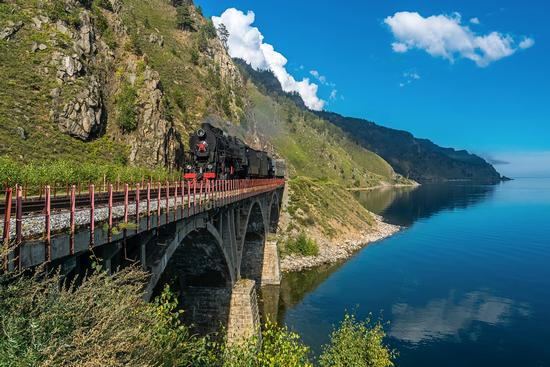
{"points": [[246, 42]]}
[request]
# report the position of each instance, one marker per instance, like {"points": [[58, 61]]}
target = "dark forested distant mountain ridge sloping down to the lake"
{"points": [[414, 158]]}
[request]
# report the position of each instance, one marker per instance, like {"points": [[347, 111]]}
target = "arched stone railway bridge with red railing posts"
{"points": [[209, 240]]}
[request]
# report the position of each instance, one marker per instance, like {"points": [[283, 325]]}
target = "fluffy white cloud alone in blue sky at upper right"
{"points": [[445, 36]]}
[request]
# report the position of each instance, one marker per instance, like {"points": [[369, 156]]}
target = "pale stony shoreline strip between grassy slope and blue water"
{"points": [[344, 249]]}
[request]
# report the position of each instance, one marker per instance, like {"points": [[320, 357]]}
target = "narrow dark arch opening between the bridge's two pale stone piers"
{"points": [[253, 244]]}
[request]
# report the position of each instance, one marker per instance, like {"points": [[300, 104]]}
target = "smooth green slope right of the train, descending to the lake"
{"points": [[313, 147]]}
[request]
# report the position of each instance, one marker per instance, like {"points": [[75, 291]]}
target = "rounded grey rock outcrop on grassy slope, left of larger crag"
{"points": [[82, 116]]}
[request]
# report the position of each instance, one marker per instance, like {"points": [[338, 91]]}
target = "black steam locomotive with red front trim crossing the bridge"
{"points": [[216, 155]]}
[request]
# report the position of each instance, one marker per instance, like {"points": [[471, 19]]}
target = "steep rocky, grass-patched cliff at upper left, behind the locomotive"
{"points": [[109, 79]]}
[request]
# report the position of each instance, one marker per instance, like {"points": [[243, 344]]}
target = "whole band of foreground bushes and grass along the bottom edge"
{"points": [[45, 321]]}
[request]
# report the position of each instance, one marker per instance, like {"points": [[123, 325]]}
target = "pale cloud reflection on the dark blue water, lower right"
{"points": [[446, 317]]}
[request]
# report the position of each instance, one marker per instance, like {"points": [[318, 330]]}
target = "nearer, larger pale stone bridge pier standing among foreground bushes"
{"points": [[244, 316]]}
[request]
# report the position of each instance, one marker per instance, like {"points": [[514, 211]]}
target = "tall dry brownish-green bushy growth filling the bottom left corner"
{"points": [[102, 322]]}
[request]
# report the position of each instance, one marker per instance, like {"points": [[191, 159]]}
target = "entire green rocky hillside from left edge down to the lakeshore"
{"points": [[126, 81]]}
